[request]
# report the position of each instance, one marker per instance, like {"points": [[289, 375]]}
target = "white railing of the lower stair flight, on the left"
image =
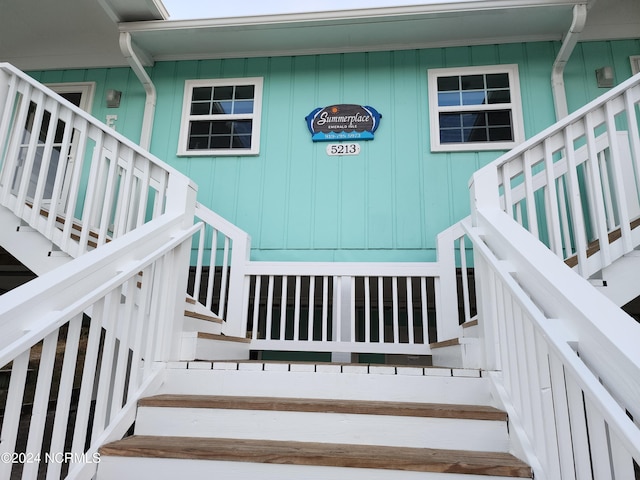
{"points": [[94, 334]]}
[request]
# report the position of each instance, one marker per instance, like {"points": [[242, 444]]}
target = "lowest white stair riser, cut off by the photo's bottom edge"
{"points": [[124, 468]]}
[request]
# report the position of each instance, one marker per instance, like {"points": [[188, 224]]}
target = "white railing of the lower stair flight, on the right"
{"points": [[553, 351]]}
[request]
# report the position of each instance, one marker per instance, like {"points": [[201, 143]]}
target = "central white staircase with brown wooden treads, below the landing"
{"points": [[304, 420]]}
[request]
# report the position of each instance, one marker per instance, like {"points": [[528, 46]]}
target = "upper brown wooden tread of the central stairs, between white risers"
{"points": [[405, 409]]}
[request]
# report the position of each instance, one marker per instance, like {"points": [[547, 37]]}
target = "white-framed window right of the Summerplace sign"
{"points": [[475, 108]]}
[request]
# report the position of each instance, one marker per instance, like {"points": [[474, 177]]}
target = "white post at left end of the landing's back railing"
{"points": [[235, 318]]}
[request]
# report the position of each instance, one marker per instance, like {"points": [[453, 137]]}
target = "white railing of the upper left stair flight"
{"points": [[69, 176]]}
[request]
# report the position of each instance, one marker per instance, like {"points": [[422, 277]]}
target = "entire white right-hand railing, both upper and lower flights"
{"points": [[565, 358]]}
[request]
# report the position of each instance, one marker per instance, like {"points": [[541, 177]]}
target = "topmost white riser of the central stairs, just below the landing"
{"points": [[343, 386]]}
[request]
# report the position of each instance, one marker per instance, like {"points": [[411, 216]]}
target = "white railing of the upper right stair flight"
{"points": [[576, 185]]}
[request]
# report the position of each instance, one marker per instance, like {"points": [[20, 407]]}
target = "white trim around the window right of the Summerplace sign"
{"points": [[515, 106]]}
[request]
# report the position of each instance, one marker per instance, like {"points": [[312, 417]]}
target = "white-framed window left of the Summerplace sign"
{"points": [[221, 117]]}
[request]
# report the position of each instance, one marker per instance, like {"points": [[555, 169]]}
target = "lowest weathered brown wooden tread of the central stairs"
{"points": [[320, 454]]}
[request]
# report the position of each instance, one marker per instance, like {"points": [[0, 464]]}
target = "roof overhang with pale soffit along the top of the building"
{"points": [[85, 33]]}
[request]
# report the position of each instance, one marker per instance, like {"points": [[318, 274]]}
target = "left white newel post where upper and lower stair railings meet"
{"points": [[181, 197]]}
